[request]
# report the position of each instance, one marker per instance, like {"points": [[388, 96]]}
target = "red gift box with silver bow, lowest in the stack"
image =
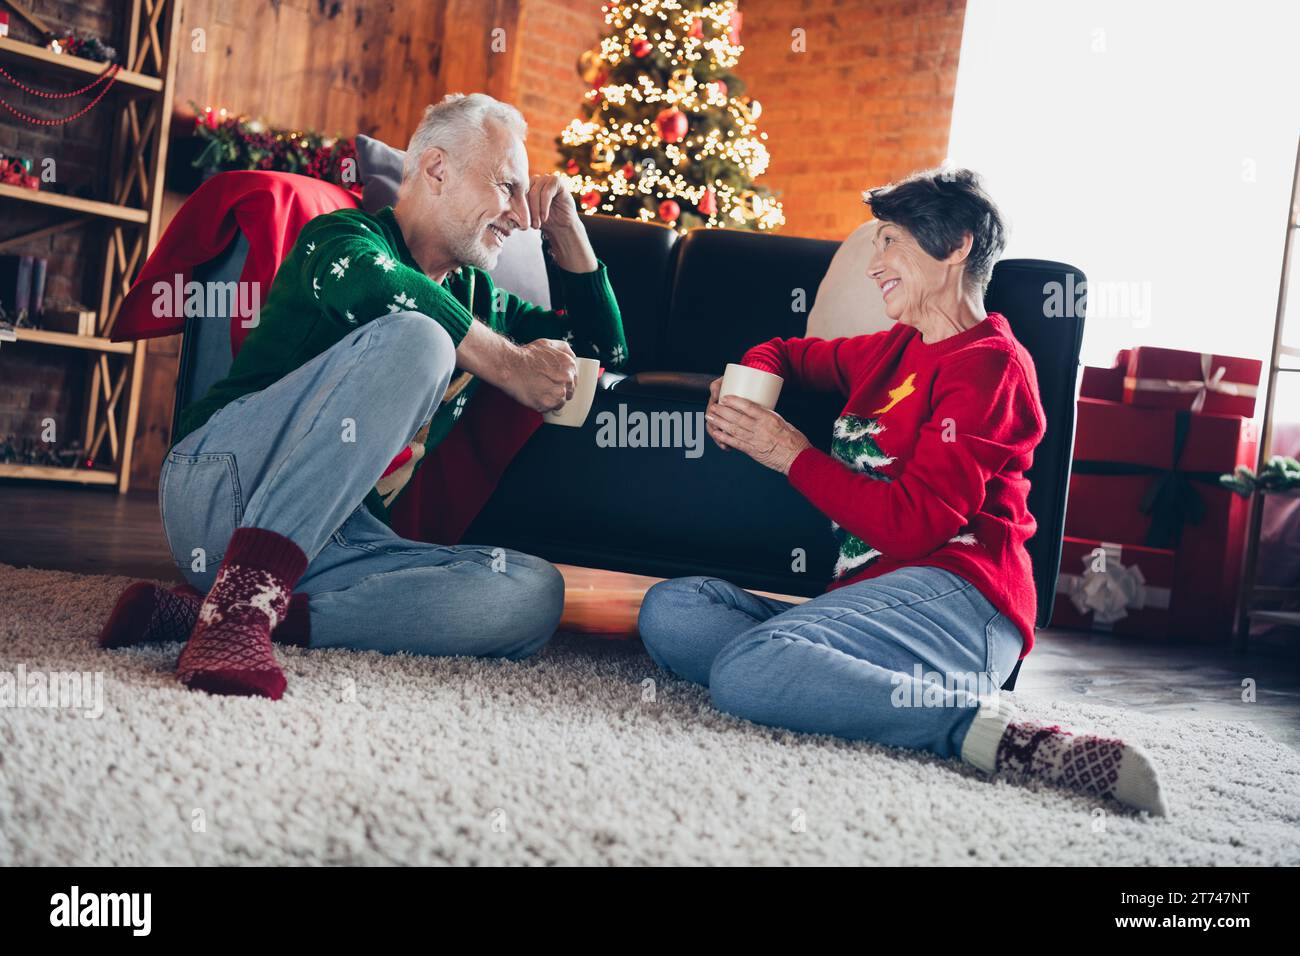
{"points": [[1113, 587]]}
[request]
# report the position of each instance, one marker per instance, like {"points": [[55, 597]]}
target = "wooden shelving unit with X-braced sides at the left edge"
{"points": [[142, 100]]}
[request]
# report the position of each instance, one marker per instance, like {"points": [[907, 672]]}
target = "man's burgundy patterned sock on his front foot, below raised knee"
{"points": [[229, 651]]}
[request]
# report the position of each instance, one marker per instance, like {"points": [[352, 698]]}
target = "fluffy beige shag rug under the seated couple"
{"points": [[587, 755]]}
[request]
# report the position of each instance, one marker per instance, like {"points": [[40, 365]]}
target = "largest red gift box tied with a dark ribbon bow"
{"points": [[1125, 488]]}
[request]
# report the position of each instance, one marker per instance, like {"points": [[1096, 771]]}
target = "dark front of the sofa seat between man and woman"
{"points": [[661, 511]]}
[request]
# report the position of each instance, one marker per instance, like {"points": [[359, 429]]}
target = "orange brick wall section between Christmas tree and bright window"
{"points": [[870, 100]]}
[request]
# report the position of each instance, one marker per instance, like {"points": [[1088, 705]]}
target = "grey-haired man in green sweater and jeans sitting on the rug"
{"points": [[375, 336]]}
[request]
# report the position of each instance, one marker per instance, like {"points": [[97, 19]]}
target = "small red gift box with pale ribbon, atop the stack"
{"points": [[1198, 382]]}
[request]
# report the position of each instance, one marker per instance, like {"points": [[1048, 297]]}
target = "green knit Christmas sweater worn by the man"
{"points": [[349, 269]]}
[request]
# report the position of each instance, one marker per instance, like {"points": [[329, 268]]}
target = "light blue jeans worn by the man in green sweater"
{"points": [[301, 456]]}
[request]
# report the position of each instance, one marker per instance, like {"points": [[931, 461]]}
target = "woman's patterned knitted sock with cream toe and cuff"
{"points": [[1102, 767]]}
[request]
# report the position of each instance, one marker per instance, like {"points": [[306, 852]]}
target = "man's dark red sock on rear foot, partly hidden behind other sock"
{"points": [[150, 615]]}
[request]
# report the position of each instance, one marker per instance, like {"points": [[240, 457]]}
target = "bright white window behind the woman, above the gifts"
{"points": [[1151, 145]]}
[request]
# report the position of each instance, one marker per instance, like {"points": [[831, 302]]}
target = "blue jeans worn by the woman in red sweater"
{"points": [[846, 663]]}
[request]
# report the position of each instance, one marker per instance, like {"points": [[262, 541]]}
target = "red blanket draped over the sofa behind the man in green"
{"points": [[452, 487]]}
